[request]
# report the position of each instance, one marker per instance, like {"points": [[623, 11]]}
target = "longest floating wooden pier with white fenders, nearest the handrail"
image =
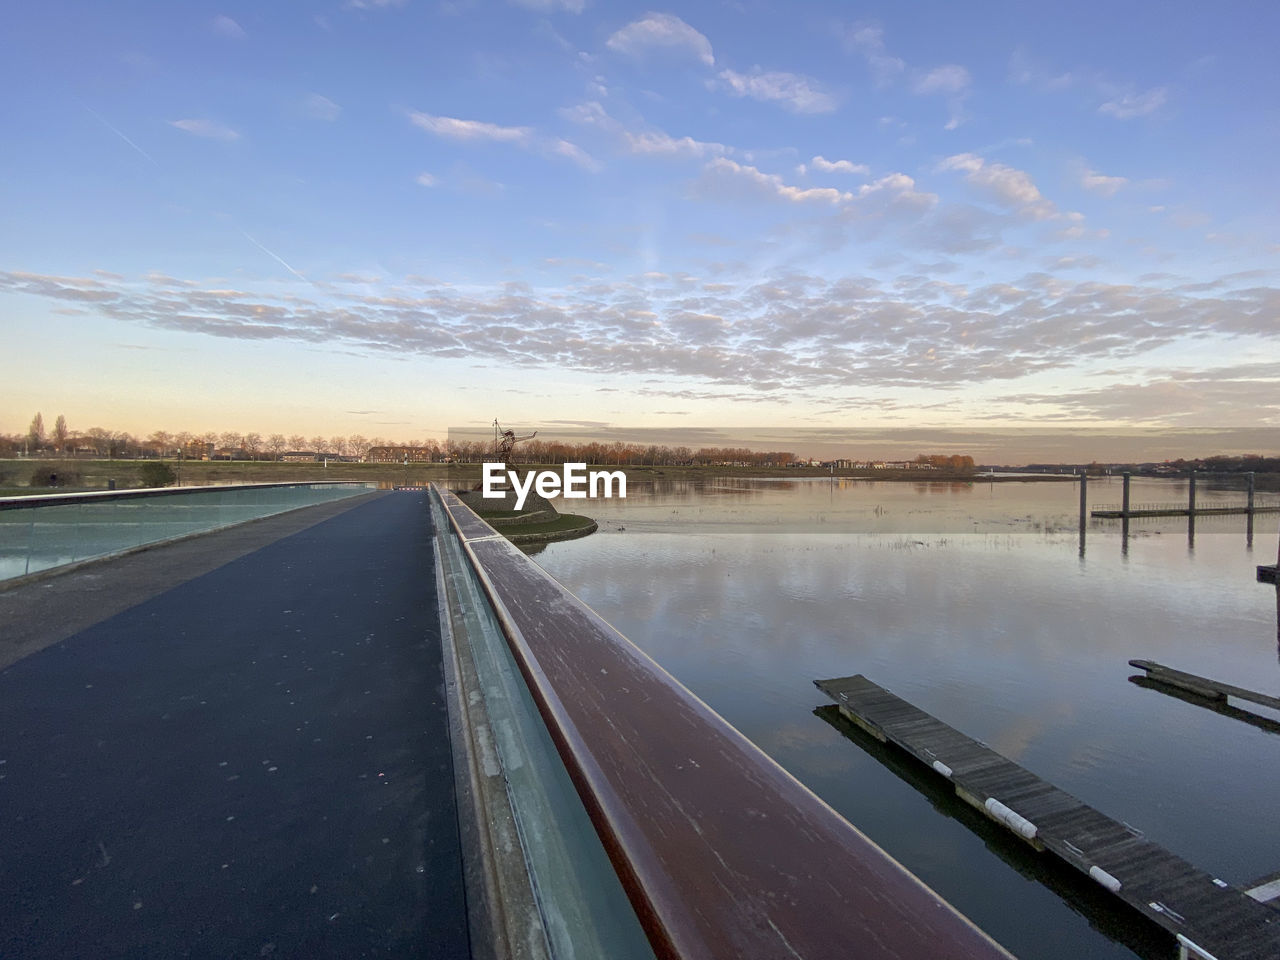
{"points": [[1209, 917]]}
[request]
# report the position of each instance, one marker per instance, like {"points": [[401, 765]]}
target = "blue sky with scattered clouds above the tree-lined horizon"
{"points": [[400, 217]]}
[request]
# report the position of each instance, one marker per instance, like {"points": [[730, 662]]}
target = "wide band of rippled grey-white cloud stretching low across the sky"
{"points": [[789, 332]]}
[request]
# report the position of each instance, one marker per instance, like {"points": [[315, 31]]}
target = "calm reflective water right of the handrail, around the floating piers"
{"points": [[975, 604]]}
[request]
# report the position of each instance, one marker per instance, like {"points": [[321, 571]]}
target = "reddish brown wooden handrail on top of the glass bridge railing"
{"points": [[723, 853]]}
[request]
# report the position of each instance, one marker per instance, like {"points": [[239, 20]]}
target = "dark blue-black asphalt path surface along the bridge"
{"points": [[252, 764]]}
